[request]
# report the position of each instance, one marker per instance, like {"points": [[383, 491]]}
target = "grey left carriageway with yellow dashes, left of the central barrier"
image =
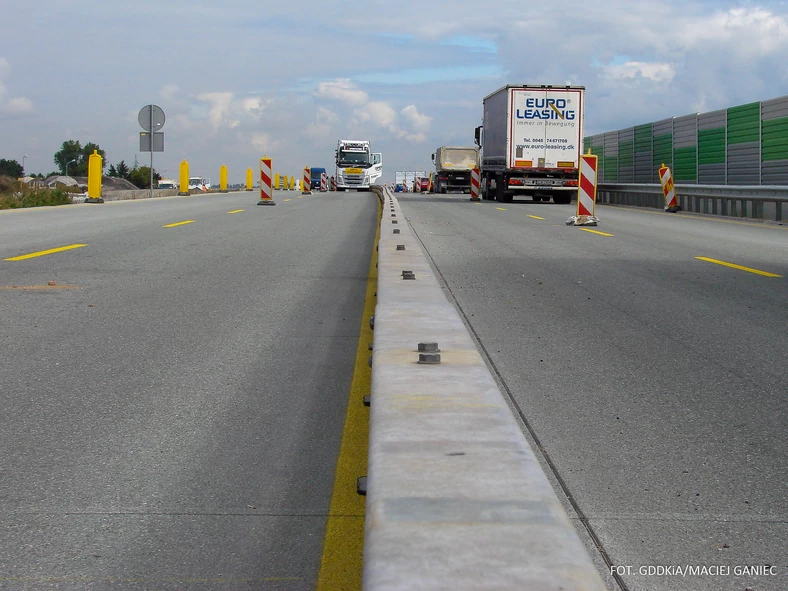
{"points": [[172, 407]]}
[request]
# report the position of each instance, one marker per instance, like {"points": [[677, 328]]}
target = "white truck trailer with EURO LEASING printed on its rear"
{"points": [[531, 140]]}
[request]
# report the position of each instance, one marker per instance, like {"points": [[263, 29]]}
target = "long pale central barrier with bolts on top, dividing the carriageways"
{"points": [[456, 498]]}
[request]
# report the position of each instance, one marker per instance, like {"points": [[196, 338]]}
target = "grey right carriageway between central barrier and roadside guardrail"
{"points": [[656, 383]]}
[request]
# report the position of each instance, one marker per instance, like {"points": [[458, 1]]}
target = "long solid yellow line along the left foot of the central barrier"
{"points": [[343, 548]]}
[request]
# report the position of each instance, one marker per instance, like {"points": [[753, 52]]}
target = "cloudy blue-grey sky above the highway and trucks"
{"points": [[241, 78]]}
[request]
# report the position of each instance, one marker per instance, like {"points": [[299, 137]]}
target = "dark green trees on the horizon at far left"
{"points": [[72, 159]]}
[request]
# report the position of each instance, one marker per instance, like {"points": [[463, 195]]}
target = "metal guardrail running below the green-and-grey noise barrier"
{"points": [[764, 203]]}
